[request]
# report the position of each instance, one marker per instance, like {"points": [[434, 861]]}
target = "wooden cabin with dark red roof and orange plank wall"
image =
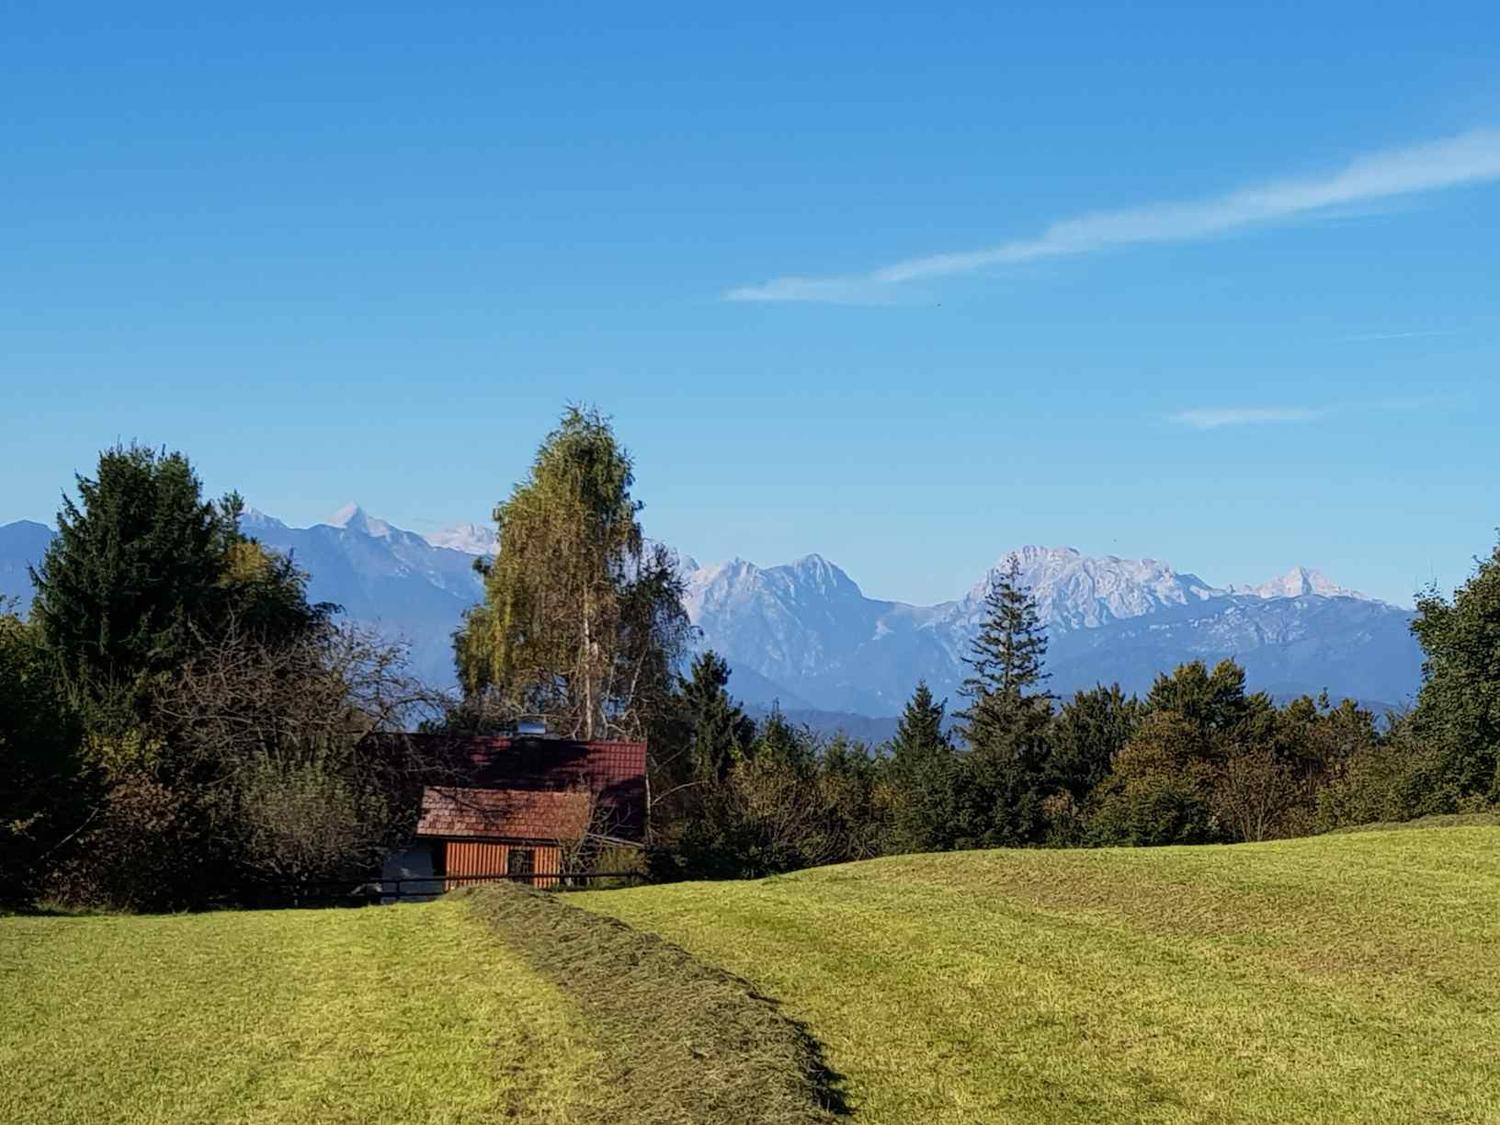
{"points": [[523, 809]]}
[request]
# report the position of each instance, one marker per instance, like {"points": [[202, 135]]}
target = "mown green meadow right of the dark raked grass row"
{"points": [[1343, 979]]}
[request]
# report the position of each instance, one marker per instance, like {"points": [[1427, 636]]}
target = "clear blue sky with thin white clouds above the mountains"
{"points": [[1226, 290]]}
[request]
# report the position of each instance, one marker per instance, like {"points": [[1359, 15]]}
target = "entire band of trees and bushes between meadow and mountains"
{"points": [[179, 724]]}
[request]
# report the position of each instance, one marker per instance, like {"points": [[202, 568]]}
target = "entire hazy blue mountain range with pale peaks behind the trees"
{"points": [[806, 637]]}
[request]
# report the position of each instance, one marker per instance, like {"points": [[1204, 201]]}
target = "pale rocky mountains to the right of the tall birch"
{"points": [[808, 628]]}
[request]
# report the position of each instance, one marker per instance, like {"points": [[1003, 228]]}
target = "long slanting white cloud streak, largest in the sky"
{"points": [[1468, 158]]}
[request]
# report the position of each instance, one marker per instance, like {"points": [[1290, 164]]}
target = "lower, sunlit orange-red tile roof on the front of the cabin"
{"points": [[505, 814]]}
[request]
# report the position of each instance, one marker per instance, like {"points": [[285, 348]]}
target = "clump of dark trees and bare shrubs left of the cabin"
{"points": [[178, 724]]}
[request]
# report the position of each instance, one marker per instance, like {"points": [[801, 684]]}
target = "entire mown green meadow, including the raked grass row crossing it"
{"points": [[1340, 979]]}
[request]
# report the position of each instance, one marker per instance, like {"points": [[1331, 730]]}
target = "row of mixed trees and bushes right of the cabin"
{"points": [[1199, 760]]}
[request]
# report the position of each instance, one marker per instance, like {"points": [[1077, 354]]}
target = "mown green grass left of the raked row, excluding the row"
{"points": [[379, 1015]]}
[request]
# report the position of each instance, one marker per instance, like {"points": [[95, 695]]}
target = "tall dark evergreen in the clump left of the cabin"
{"points": [[145, 586]]}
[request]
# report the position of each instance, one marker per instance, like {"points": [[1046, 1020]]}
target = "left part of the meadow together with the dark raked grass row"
{"points": [[491, 1006]]}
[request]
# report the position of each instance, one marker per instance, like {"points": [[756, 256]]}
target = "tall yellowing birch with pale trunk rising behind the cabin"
{"points": [[583, 622]]}
